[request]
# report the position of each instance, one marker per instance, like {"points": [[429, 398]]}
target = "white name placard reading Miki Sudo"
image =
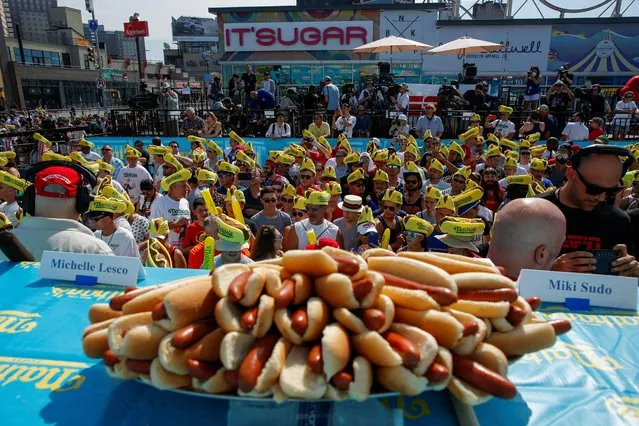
{"points": [[602, 290]]}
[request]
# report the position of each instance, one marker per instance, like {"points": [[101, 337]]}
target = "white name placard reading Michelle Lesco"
{"points": [[90, 268]]}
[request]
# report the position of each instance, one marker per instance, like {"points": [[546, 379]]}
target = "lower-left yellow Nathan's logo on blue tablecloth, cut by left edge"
{"points": [[43, 374]]}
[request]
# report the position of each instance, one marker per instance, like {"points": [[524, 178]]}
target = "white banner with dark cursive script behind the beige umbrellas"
{"points": [[526, 45]]}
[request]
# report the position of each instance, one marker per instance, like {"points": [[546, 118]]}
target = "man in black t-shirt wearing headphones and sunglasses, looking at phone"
{"points": [[591, 222]]}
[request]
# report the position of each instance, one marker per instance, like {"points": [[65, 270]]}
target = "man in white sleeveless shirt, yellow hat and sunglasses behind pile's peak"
{"points": [[297, 237]]}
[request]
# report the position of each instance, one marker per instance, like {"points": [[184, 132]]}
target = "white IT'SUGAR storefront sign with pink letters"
{"points": [[291, 36]]}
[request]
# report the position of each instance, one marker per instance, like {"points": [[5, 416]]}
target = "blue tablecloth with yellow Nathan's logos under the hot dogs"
{"points": [[591, 376]]}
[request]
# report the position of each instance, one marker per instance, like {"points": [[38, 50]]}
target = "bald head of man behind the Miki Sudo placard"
{"points": [[527, 234]]}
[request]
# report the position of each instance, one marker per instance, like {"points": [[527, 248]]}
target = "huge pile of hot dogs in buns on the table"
{"points": [[325, 324]]}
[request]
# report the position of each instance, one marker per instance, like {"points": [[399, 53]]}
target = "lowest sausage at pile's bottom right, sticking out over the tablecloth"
{"points": [[482, 378]]}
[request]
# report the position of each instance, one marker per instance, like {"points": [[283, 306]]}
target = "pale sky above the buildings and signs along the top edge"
{"points": [[112, 13]]}
